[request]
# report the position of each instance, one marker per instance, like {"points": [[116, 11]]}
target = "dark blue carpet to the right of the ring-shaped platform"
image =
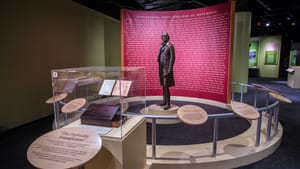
{"points": [[288, 154]]}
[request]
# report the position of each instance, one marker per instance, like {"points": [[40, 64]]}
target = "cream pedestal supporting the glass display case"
{"points": [[126, 152]]}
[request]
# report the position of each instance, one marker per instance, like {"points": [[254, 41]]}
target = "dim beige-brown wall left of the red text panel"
{"points": [[38, 36]]}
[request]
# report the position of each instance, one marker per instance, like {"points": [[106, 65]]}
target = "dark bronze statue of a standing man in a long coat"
{"points": [[166, 59]]}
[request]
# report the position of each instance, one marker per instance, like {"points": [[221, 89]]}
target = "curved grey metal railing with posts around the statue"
{"points": [[270, 109]]}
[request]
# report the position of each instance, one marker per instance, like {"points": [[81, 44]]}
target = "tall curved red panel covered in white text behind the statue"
{"points": [[201, 38]]}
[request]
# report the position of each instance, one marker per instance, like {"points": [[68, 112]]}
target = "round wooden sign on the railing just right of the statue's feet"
{"points": [[191, 114]]}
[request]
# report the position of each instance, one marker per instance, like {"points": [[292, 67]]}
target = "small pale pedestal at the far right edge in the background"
{"points": [[293, 77]]}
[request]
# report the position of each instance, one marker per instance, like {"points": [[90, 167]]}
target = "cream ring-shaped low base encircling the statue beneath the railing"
{"points": [[232, 152]]}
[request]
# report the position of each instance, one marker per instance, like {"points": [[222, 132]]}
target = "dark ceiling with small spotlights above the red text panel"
{"points": [[282, 15]]}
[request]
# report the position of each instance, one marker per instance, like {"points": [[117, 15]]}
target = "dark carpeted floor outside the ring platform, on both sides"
{"points": [[14, 144]]}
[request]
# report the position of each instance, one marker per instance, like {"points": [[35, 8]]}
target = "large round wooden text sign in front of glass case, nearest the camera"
{"points": [[69, 147]]}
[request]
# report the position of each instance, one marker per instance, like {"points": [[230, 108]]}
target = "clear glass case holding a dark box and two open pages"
{"points": [[101, 98]]}
